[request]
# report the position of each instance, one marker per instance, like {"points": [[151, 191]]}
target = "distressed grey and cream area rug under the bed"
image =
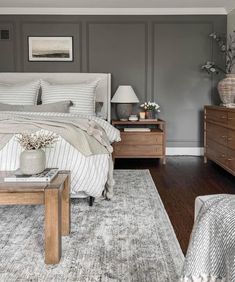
{"points": [[127, 239]]}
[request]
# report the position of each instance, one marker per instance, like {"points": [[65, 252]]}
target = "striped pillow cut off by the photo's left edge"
{"points": [[20, 94]]}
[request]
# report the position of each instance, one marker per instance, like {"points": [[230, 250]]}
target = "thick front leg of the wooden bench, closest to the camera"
{"points": [[52, 226]]}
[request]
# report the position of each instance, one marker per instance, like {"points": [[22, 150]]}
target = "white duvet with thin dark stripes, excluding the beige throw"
{"points": [[88, 174]]}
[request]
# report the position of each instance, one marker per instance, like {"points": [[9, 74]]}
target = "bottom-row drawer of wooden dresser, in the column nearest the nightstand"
{"points": [[216, 152]]}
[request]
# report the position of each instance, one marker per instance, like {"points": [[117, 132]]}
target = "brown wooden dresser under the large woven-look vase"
{"points": [[219, 136]]}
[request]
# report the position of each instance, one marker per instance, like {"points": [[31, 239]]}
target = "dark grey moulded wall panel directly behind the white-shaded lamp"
{"points": [[131, 36]]}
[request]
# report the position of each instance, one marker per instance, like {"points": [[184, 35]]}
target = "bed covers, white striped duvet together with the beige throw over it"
{"points": [[90, 164]]}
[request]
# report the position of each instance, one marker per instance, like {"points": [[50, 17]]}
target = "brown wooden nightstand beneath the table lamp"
{"points": [[141, 144]]}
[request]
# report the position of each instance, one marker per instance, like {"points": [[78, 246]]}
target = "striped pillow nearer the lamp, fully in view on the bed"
{"points": [[82, 95]]}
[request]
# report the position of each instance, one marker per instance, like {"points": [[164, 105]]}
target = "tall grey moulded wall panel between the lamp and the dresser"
{"points": [[178, 61]]}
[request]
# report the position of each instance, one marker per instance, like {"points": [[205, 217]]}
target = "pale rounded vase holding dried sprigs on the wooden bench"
{"points": [[32, 161]]}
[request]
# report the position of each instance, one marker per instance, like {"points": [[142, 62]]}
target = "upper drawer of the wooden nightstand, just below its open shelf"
{"points": [[140, 138]]}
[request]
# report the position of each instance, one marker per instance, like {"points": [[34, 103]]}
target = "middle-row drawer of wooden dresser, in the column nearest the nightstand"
{"points": [[217, 133]]}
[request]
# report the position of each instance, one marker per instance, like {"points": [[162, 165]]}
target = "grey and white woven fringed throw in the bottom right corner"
{"points": [[211, 252]]}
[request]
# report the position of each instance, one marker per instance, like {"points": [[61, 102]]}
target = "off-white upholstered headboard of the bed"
{"points": [[103, 90]]}
